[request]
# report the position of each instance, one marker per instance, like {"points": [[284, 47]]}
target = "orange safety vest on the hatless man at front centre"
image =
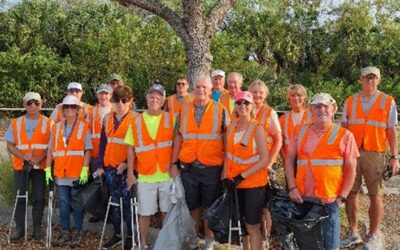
{"points": [[203, 143]]}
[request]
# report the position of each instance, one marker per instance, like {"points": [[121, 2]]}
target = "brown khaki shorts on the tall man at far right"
{"points": [[371, 166]]}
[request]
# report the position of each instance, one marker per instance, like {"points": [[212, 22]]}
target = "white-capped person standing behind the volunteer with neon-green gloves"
{"points": [[74, 89]]}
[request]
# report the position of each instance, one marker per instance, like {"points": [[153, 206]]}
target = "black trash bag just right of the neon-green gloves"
{"points": [[95, 197]]}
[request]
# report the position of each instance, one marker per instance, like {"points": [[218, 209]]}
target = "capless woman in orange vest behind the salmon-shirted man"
{"points": [[299, 114]]}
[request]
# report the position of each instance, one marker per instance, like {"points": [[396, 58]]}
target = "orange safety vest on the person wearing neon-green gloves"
{"points": [[68, 159]]}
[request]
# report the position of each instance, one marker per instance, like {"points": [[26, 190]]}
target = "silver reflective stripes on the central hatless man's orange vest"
{"points": [[212, 136]]}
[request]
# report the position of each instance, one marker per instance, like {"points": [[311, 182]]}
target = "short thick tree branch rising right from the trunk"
{"points": [[217, 14]]}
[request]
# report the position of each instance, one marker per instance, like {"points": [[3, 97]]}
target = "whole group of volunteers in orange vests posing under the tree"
{"points": [[207, 136]]}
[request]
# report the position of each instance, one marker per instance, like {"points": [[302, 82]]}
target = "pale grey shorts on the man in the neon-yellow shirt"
{"points": [[153, 195]]}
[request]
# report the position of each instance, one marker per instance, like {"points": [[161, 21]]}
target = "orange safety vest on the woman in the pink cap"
{"points": [[241, 156]]}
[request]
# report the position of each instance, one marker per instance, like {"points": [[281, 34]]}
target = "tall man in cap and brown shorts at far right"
{"points": [[371, 116]]}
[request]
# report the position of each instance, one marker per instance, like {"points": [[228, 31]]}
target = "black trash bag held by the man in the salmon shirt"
{"points": [[298, 225]]}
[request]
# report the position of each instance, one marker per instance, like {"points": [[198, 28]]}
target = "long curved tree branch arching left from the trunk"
{"points": [[160, 10]]}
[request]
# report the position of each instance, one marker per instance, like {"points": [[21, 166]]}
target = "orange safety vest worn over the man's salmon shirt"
{"points": [[326, 162]]}
